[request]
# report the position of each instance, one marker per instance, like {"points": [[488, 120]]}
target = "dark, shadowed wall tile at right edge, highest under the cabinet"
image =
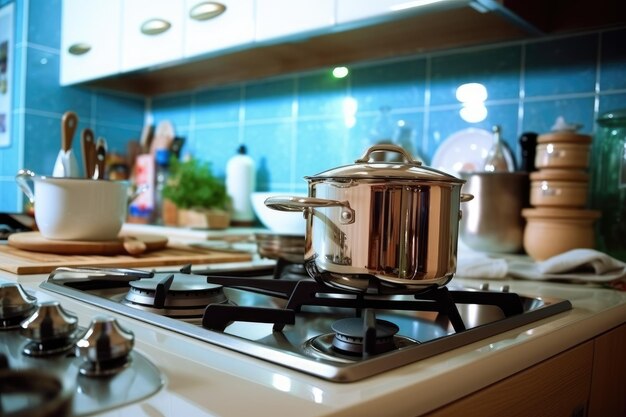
{"points": [[613, 60]]}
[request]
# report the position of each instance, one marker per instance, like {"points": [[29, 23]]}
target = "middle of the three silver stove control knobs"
{"points": [[50, 328]]}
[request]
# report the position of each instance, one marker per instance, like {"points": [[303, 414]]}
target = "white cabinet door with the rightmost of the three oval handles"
{"points": [[214, 25]]}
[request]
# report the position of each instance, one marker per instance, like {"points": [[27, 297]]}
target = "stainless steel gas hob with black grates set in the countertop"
{"points": [[286, 318]]}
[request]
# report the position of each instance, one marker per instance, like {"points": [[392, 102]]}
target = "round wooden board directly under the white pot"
{"points": [[34, 241]]}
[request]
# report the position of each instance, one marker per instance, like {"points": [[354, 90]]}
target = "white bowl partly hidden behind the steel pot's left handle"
{"points": [[283, 222]]}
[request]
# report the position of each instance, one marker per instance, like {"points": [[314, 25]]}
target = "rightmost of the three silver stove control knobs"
{"points": [[105, 347]]}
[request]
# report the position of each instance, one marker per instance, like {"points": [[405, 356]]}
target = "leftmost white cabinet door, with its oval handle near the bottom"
{"points": [[90, 39]]}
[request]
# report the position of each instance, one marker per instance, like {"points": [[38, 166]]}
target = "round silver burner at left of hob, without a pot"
{"points": [[174, 295]]}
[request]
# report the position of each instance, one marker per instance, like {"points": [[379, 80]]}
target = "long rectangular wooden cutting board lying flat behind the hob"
{"points": [[19, 261]]}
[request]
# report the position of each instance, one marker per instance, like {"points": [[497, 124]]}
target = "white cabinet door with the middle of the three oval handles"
{"points": [[152, 32]]}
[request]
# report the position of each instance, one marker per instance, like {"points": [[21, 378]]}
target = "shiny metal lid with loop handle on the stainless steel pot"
{"points": [[409, 169]]}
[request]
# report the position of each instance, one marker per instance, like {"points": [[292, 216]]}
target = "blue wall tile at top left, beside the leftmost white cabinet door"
{"points": [[44, 22]]}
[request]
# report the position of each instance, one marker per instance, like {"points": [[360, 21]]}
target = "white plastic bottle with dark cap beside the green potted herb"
{"points": [[240, 183]]}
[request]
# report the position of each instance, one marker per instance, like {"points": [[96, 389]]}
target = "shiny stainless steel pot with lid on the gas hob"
{"points": [[380, 227]]}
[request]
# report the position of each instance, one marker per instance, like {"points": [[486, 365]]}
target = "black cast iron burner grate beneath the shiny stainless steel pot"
{"points": [[307, 292]]}
